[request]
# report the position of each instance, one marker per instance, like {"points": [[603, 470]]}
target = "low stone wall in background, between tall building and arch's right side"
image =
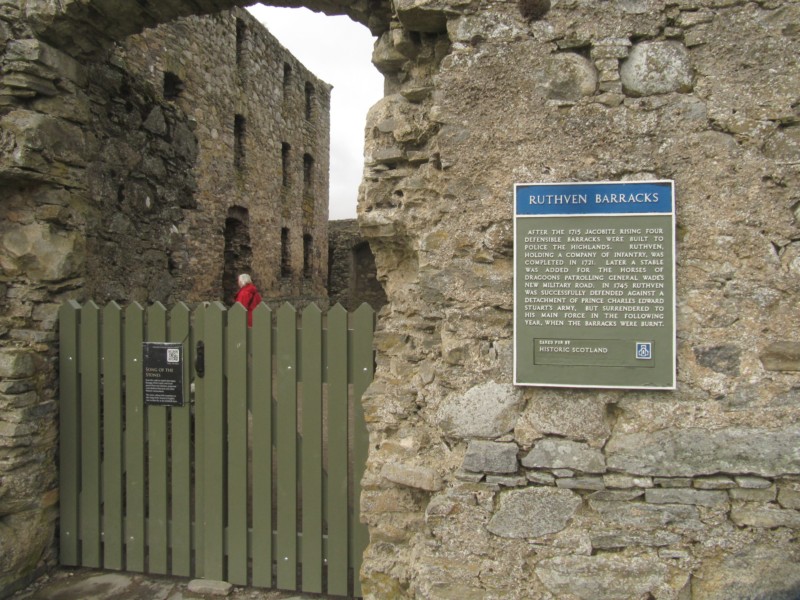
{"points": [[352, 274]]}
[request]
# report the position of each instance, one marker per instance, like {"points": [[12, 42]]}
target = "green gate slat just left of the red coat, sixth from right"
{"points": [[237, 444]]}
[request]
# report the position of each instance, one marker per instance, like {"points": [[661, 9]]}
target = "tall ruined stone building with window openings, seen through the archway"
{"points": [[210, 147]]}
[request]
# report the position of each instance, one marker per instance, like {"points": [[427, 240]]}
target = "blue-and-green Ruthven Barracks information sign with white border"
{"points": [[594, 285]]}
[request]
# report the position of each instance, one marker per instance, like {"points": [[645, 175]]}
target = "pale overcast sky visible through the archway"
{"points": [[338, 51]]}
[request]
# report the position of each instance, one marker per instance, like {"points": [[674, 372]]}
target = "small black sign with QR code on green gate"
{"points": [[163, 373]]}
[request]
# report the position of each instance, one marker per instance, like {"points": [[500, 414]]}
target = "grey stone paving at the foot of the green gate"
{"points": [[86, 584]]}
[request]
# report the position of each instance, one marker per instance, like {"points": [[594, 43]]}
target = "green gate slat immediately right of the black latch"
{"points": [[213, 446]]}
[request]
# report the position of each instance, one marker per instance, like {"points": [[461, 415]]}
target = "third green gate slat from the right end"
{"points": [[311, 450]]}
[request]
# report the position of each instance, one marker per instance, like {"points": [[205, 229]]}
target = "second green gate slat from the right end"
{"points": [[337, 452]]}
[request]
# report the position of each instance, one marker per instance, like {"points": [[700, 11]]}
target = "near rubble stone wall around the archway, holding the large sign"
{"points": [[476, 488]]}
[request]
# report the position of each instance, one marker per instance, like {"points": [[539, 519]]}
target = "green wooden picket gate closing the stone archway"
{"points": [[254, 480]]}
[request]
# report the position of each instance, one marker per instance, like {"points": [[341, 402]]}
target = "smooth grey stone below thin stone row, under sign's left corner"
{"points": [[533, 512]]}
